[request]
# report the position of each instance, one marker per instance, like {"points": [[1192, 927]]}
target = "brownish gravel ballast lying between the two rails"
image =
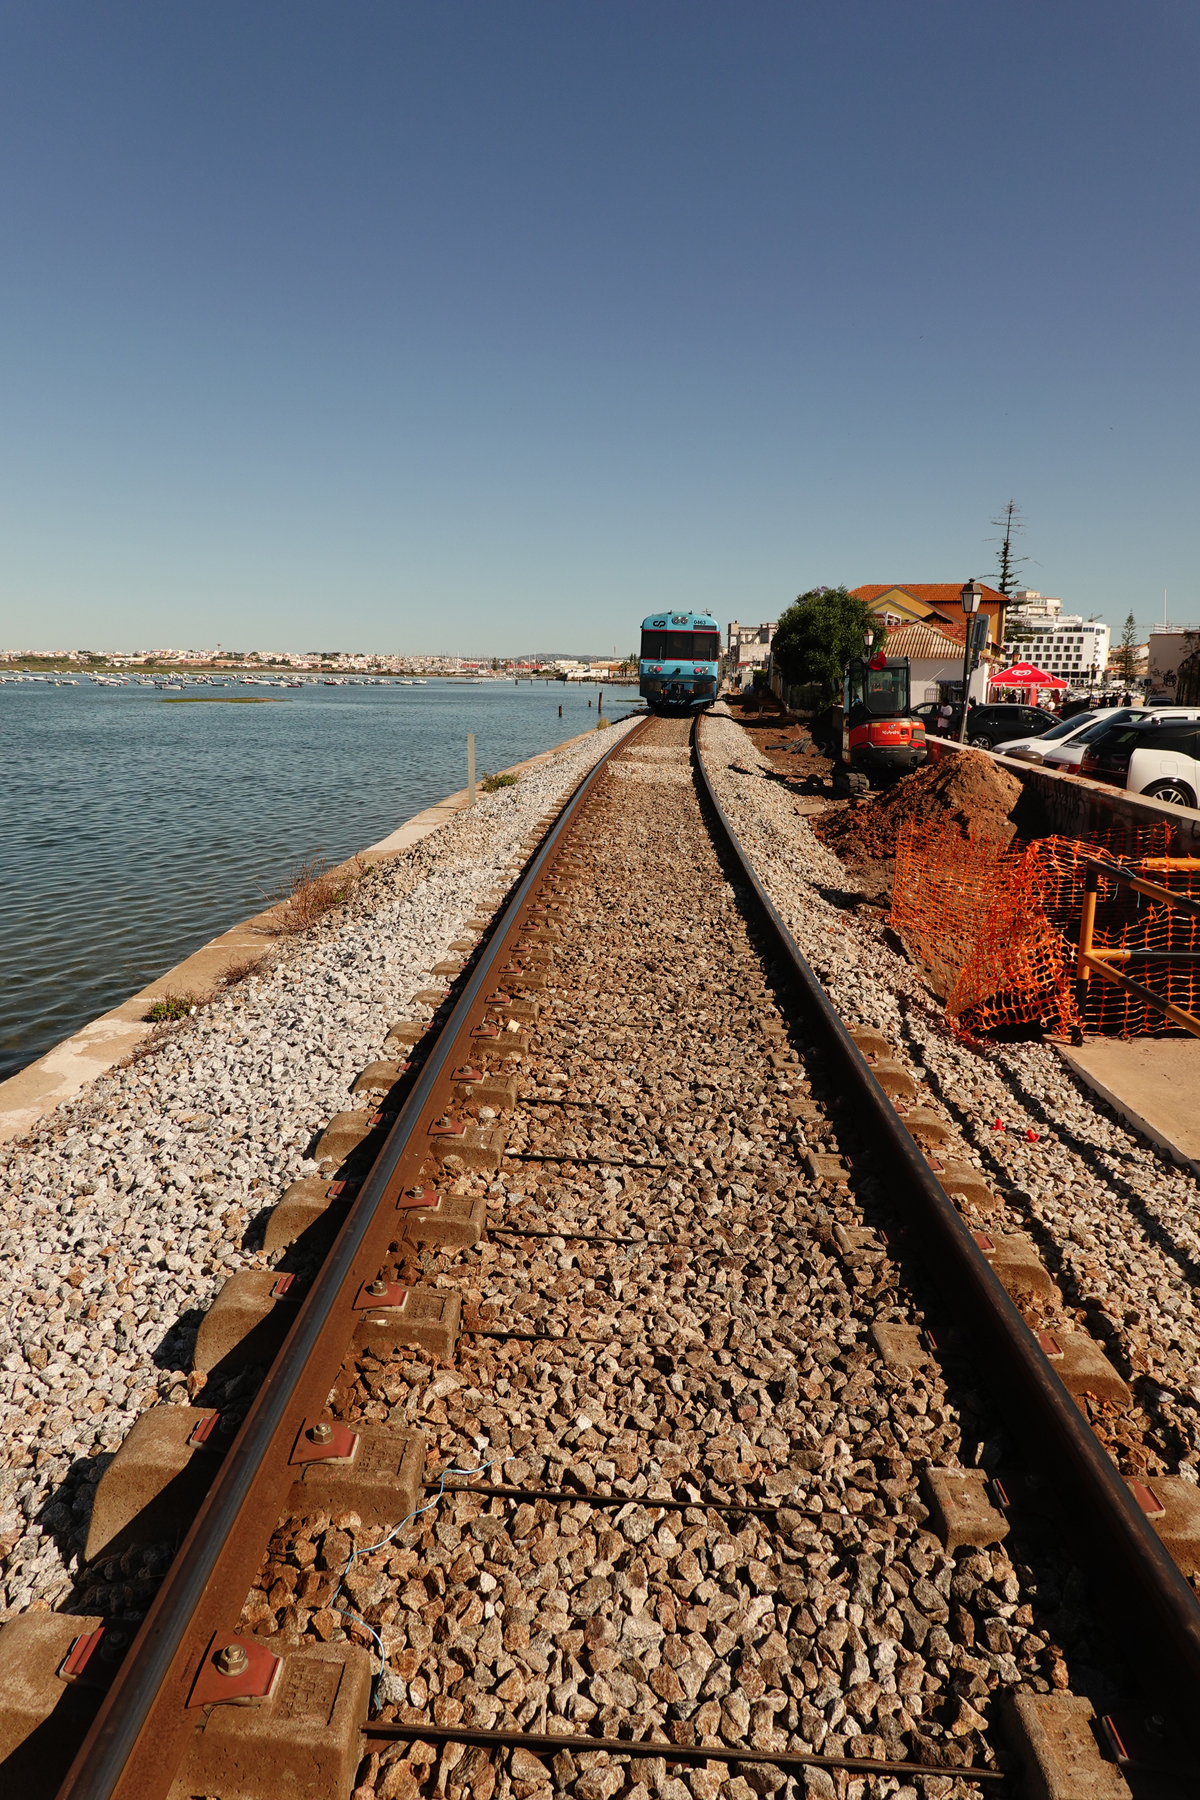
{"points": [[742, 1554]]}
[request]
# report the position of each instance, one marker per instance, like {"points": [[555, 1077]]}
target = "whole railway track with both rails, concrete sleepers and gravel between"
{"points": [[618, 1430]]}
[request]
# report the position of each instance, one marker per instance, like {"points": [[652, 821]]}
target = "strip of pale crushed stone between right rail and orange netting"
{"points": [[1116, 1223]]}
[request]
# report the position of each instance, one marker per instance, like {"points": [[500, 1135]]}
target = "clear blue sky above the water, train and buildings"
{"points": [[494, 328]]}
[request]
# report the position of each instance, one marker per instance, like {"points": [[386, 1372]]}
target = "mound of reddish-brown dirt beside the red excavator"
{"points": [[967, 791]]}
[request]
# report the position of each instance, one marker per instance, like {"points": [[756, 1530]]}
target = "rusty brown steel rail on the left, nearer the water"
{"points": [[139, 1734]]}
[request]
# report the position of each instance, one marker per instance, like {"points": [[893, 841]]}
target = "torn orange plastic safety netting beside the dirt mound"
{"points": [[998, 930]]}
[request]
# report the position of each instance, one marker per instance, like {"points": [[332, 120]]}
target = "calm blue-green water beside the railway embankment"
{"points": [[134, 831]]}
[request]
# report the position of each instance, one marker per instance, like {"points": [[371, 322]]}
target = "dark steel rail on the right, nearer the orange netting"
{"points": [[1039, 1407]]}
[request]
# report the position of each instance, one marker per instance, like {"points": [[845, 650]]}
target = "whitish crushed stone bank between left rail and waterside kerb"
{"points": [[125, 1212]]}
